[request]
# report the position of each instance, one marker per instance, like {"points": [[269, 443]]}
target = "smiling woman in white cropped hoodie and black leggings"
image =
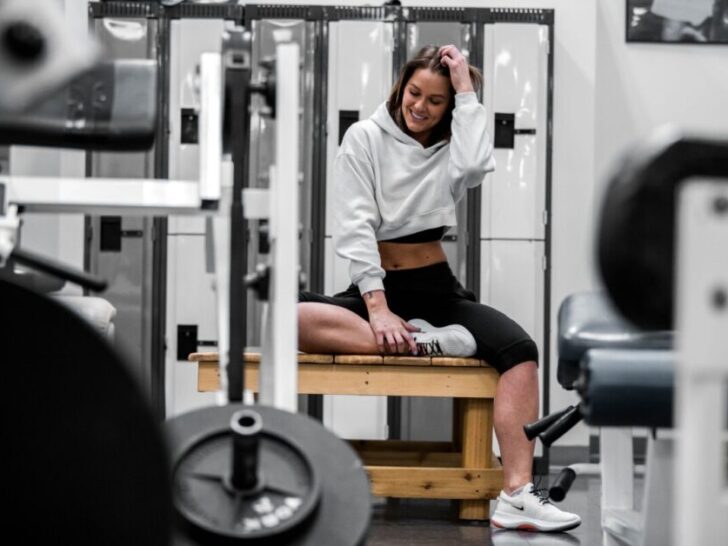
{"points": [[399, 175]]}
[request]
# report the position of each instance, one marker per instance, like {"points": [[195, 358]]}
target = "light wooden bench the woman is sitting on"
{"points": [[463, 469]]}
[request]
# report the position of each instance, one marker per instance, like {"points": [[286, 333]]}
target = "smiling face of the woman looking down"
{"points": [[424, 103]]}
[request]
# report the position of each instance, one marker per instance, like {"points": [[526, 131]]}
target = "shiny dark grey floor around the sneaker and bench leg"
{"points": [[426, 522]]}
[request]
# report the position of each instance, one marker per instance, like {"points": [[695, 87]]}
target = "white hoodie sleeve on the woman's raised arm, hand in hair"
{"points": [[471, 149]]}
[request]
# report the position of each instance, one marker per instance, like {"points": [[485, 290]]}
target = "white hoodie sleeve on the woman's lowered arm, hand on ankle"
{"points": [[357, 218]]}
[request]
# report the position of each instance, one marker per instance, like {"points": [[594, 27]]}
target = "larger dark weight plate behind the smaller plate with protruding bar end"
{"points": [[343, 513]]}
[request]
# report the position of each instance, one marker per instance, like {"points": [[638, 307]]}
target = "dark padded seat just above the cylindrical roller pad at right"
{"points": [[588, 321]]}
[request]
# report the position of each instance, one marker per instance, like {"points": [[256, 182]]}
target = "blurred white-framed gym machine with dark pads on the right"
{"points": [[650, 350]]}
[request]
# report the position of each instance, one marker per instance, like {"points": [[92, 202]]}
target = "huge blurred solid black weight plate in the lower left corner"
{"points": [[83, 456]]}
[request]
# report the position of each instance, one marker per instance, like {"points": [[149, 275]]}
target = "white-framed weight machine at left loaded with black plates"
{"points": [[88, 459]]}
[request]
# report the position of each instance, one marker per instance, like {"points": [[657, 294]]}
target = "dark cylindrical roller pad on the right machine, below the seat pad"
{"points": [[628, 388]]}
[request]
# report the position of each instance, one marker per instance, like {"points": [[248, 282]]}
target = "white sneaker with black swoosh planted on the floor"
{"points": [[531, 511]]}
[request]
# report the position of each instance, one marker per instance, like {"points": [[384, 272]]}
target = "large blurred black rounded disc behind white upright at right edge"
{"points": [[637, 223]]}
